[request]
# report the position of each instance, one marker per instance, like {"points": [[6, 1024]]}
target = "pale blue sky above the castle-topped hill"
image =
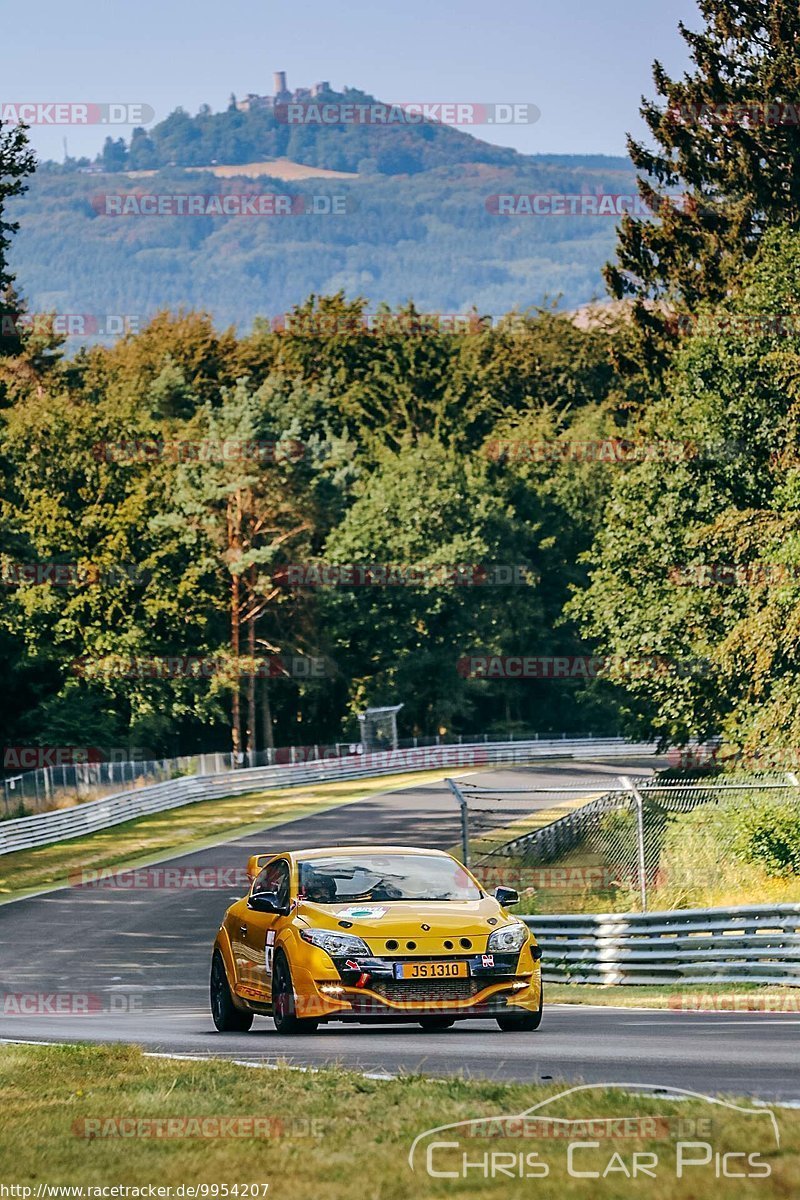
{"points": [[584, 65]]}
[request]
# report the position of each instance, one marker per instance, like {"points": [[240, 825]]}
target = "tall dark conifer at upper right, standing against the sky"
{"points": [[727, 159]]}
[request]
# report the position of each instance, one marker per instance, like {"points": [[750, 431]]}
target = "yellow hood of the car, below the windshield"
{"points": [[407, 919]]}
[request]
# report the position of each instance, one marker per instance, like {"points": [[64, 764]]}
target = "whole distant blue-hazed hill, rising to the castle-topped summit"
{"points": [[425, 232]]}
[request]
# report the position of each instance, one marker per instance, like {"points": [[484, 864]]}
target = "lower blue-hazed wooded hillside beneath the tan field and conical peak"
{"points": [[428, 235]]}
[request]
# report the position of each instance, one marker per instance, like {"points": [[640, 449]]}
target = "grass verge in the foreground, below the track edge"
{"points": [[348, 1136]]}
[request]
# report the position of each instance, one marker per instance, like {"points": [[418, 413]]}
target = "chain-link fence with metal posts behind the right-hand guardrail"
{"points": [[630, 843]]}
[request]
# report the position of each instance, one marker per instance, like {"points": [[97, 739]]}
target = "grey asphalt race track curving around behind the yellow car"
{"points": [[143, 957]]}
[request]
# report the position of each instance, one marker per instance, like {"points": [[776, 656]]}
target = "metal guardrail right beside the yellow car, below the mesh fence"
{"points": [[757, 944]]}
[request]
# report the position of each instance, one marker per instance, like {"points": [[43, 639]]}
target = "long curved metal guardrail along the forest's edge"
{"points": [[44, 829]]}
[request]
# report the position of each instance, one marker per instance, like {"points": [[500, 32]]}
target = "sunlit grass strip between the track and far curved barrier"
{"points": [[188, 829]]}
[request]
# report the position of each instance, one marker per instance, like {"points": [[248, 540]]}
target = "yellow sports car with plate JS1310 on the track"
{"points": [[372, 934]]}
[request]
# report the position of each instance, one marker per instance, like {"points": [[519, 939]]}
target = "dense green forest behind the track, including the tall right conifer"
{"points": [[533, 523]]}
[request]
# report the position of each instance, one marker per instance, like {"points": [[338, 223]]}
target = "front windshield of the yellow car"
{"points": [[374, 878]]}
